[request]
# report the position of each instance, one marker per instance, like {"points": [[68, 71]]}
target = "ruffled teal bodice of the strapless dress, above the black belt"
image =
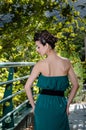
{"points": [[53, 82]]}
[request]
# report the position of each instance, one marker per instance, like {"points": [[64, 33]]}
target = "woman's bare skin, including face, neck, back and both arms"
{"points": [[53, 65]]}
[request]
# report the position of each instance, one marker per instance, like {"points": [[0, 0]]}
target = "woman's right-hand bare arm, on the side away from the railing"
{"points": [[75, 85]]}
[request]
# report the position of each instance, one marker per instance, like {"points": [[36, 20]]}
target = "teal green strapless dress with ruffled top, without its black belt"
{"points": [[50, 111]]}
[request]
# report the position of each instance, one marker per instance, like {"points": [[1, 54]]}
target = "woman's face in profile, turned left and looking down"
{"points": [[40, 48]]}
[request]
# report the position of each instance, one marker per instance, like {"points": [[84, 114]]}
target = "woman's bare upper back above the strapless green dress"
{"points": [[55, 66]]}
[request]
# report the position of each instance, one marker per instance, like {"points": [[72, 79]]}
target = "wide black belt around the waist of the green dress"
{"points": [[52, 92]]}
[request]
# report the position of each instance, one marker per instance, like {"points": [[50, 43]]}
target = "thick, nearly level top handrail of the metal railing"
{"points": [[15, 64]]}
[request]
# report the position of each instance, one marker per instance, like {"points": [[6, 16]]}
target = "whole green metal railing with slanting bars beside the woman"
{"points": [[12, 116]]}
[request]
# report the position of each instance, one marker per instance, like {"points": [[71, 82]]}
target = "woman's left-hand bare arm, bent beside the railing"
{"points": [[34, 74]]}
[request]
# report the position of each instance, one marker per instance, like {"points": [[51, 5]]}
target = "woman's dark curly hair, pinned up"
{"points": [[45, 37]]}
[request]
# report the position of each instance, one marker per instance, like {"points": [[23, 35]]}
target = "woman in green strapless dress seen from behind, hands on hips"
{"points": [[51, 109]]}
